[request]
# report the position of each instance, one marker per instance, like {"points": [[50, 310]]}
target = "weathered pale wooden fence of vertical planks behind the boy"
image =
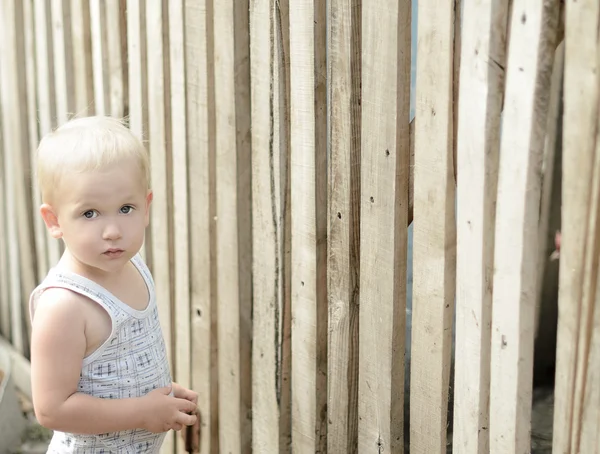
{"points": [[283, 177]]}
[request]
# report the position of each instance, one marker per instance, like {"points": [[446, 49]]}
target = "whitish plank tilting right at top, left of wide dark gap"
{"points": [[529, 69]]}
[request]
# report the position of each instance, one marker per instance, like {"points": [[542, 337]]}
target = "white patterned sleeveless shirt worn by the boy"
{"points": [[130, 363]]}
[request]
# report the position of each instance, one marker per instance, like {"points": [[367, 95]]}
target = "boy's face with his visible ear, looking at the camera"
{"points": [[101, 216]]}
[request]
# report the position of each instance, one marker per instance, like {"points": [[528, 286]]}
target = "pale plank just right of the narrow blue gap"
{"points": [[434, 230]]}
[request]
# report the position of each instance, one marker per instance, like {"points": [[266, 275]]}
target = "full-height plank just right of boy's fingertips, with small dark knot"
{"points": [[201, 149]]}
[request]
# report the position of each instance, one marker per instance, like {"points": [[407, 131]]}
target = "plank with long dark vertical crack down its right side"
{"points": [[270, 162]]}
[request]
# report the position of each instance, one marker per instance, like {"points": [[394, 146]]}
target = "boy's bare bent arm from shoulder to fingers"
{"points": [[57, 350]]}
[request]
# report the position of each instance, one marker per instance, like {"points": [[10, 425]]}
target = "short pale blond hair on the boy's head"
{"points": [[87, 144]]}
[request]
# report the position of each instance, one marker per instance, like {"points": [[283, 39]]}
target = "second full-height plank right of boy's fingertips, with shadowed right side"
{"points": [[234, 244]]}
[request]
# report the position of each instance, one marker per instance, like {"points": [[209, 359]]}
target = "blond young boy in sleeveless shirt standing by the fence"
{"points": [[100, 376]]}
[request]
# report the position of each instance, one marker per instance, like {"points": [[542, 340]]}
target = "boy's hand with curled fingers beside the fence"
{"points": [[163, 412]]}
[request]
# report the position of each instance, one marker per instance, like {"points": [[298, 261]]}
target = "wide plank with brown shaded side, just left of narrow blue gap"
{"points": [[383, 224]]}
